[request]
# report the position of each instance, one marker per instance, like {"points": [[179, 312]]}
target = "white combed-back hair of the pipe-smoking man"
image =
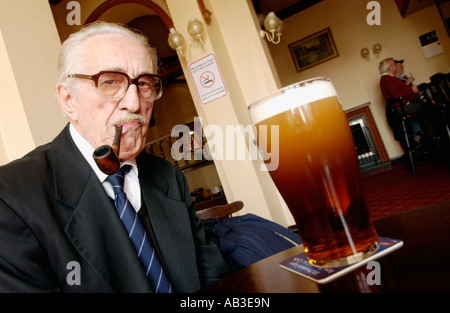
{"points": [[72, 50]]}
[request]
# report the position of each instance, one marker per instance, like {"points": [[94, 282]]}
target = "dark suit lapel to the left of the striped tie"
{"points": [[94, 228]]}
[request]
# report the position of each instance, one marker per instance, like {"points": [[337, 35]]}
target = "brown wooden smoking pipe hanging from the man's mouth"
{"points": [[107, 157]]}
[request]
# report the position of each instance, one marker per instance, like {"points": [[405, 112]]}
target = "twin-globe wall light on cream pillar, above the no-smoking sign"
{"points": [[176, 40]]}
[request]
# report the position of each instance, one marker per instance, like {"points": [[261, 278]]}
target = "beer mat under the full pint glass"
{"points": [[299, 264]]}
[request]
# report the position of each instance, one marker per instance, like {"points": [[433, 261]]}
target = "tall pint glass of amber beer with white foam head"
{"points": [[318, 173]]}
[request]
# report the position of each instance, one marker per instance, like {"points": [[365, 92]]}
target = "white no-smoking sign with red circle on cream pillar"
{"points": [[208, 79]]}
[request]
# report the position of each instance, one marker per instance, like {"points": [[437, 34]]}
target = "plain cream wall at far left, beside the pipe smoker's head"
{"points": [[29, 48]]}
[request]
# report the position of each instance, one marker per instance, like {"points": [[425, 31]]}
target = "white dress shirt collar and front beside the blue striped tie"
{"points": [[131, 185]]}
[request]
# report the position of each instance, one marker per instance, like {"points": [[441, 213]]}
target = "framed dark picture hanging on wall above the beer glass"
{"points": [[313, 50]]}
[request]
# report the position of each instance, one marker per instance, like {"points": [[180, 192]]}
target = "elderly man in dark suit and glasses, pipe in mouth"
{"points": [[65, 225]]}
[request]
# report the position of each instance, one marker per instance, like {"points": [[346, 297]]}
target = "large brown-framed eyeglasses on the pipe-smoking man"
{"points": [[109, 84]]}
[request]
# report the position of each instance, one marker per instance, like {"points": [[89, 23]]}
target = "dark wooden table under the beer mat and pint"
{"points": [[421, 265]]}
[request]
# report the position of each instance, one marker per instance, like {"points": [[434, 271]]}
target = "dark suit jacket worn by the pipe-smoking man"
{"points": [[54, 210]]}
